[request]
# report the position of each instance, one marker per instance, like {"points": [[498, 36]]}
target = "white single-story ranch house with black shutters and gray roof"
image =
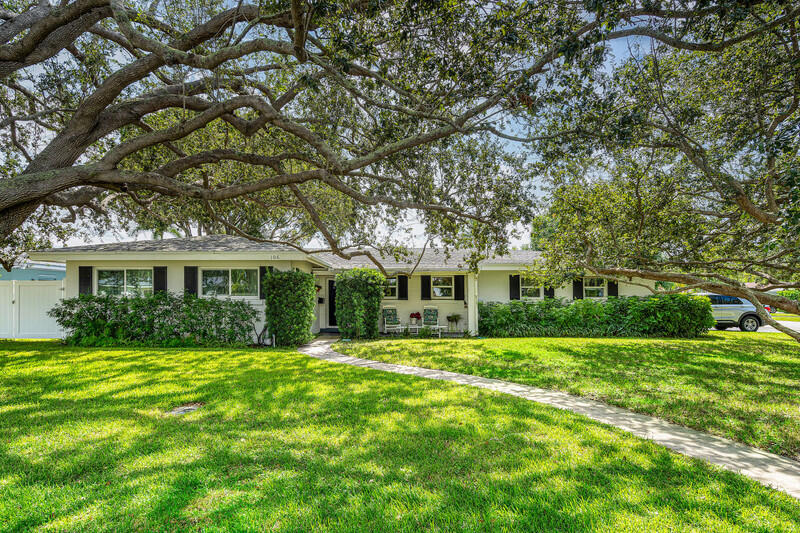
{"points": [[228, 266]]}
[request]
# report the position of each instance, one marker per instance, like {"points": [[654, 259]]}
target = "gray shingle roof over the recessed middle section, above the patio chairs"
{"points": [[432, 260]]}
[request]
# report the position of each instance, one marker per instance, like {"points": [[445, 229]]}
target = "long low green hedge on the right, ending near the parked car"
{"points": [[674, 315]]}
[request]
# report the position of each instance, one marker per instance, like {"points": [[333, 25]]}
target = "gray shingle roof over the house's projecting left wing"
{"points": [[206, 243]]}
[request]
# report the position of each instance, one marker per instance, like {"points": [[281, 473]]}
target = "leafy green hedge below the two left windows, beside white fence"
{"points": [[162, 319]]}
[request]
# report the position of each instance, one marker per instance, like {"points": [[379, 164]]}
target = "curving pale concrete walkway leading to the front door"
{"points": [[766, 468]]}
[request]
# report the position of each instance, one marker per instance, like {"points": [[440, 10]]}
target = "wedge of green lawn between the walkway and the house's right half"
{"points": [[744, 386]]}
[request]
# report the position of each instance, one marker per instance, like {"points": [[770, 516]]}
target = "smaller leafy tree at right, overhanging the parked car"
{"points": [[685, 170]]}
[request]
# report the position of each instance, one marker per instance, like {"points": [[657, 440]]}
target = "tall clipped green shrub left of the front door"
{"points": [[290, 301]]}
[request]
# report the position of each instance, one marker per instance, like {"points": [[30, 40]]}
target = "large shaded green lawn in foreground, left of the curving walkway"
{"points": [[288, 443]]}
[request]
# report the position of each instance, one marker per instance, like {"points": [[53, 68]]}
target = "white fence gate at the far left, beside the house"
{"points": [[24, 306]]}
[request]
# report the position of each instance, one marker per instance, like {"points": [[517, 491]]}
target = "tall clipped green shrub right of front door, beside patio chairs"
{"points": [[358, 302]]}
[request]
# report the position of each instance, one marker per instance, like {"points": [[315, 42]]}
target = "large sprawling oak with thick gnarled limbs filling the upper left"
{"points": [[113, 105]]}
